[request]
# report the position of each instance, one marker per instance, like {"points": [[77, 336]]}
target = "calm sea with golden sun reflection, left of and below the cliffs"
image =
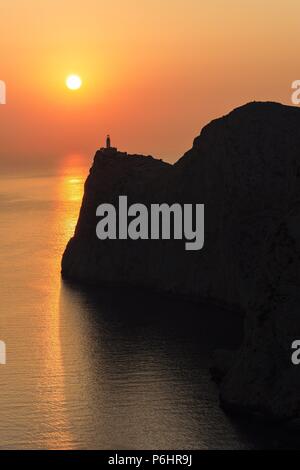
{"points": [[105, 368]]}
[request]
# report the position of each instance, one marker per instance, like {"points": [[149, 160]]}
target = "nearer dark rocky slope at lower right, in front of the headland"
{"points": [[261, 378]]}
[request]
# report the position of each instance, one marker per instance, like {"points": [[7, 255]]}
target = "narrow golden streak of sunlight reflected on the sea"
{"points": [[63, 222]]}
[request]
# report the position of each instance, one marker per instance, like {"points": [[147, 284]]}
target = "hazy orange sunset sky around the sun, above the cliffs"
{"points": [[154, 71]]}
